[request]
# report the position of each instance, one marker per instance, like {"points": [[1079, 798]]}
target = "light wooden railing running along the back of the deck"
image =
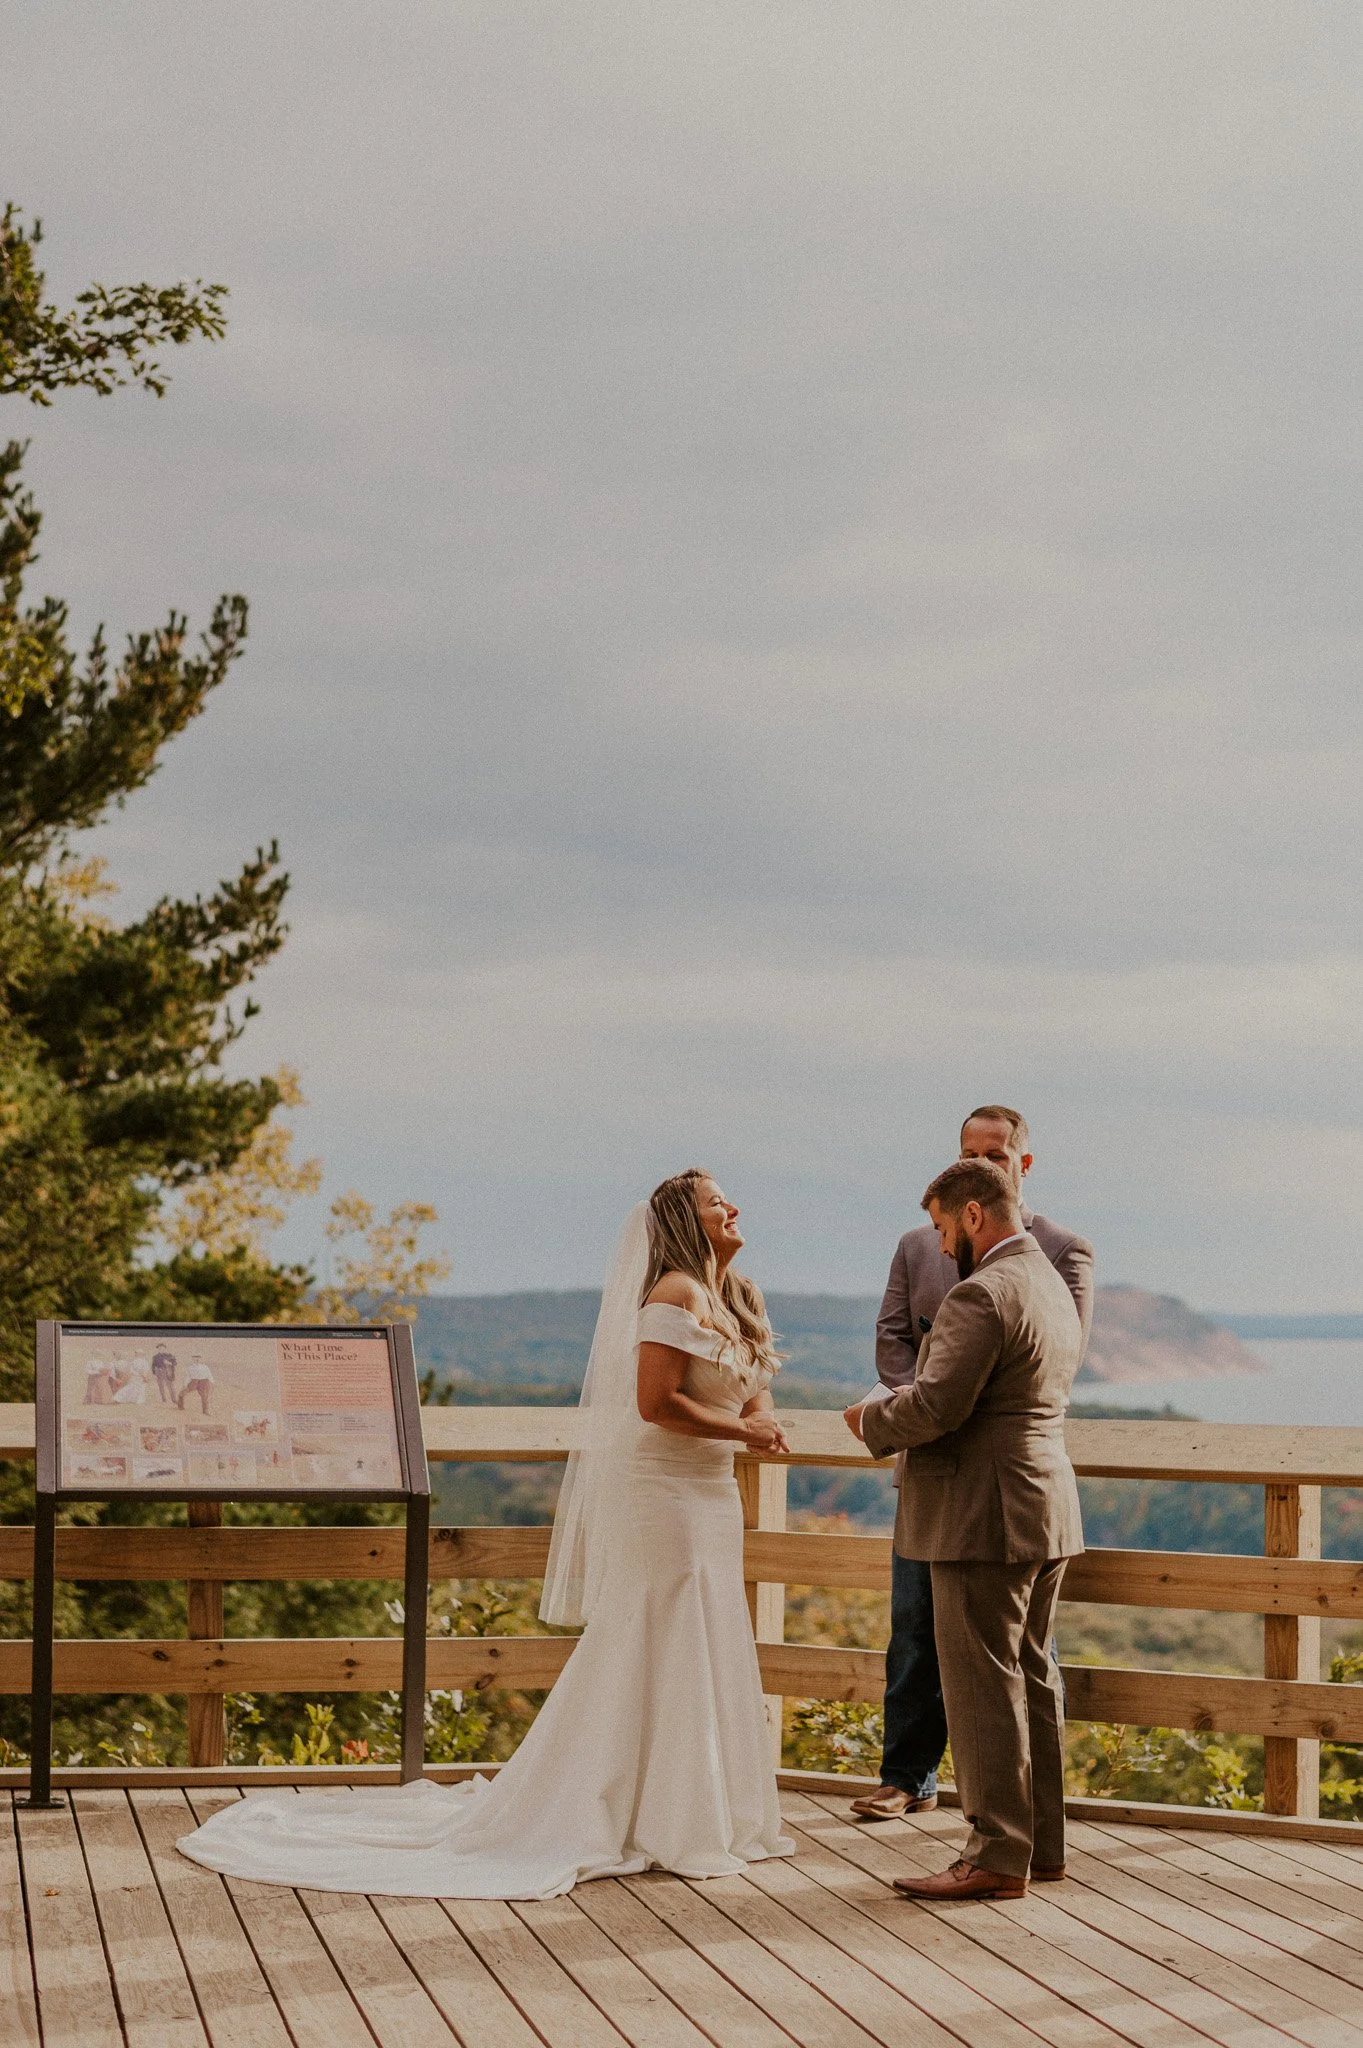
{"points": [[1290, 1586]]}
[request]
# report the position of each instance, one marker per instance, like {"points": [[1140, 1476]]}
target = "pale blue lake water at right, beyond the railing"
{"points": [[1309, 1381]]}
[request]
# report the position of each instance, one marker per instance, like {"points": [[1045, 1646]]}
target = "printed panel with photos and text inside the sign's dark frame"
{"points": [[193, 1410]]}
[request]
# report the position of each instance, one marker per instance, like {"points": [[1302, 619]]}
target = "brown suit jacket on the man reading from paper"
{"points": [[983, 1420]]}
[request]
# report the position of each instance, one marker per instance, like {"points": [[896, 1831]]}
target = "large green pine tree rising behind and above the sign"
{"points": [[112, 1037]]}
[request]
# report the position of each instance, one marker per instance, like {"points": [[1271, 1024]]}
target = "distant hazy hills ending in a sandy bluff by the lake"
{"points": [[543, 1338]]}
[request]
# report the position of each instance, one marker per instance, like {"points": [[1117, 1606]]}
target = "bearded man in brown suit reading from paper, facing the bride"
{"points": [[990, 1496]]}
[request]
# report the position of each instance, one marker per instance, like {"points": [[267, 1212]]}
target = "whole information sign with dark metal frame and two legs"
{"points": [[228, 1412]]}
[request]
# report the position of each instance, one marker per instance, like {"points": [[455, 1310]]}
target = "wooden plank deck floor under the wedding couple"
{"points": [[1155, 1938]]}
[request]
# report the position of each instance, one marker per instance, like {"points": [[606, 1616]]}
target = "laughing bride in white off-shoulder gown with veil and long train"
{"points": [[652, 1750]]}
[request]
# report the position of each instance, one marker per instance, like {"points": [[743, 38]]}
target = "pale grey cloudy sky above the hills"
{"points": [[805, 574]]}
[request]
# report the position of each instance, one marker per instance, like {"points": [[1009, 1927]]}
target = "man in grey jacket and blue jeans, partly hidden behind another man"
{"points": [[920, 1279]]}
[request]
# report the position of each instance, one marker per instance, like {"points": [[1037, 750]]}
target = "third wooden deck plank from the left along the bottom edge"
{"points": [[152, 1988]]}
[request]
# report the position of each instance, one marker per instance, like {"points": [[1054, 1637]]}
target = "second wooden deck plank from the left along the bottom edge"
{"points": [[75, 1996]]}
